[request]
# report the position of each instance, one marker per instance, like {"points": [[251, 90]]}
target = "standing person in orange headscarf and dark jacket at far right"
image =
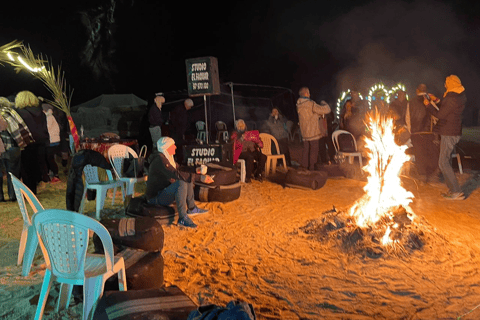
{"points": [[449, 127]]}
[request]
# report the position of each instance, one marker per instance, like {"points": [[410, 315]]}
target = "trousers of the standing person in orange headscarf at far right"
{"points": [[447, 144]]}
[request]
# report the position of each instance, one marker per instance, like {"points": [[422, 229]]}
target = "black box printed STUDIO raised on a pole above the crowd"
{"points": [[202, 76]]}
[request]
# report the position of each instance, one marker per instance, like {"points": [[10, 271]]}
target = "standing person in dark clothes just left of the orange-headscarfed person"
{"points": [[425, 142]]}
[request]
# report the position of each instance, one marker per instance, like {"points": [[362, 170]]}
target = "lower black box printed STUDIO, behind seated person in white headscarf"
{"points": [[195, 155]]}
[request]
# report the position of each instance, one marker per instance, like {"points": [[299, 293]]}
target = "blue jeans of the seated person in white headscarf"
{"points": [[181, 192]]}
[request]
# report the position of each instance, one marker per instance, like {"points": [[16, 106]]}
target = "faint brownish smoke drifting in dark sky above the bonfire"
{"points": [[412, 43]]}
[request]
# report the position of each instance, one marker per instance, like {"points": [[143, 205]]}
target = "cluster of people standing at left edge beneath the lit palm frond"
{"points": [[32, 134]]}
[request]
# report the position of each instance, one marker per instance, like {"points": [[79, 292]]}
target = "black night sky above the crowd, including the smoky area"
{"points": [[141, 47]]}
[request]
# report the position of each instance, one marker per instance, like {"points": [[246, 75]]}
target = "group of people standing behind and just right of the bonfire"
{"points": [[434, 126]]}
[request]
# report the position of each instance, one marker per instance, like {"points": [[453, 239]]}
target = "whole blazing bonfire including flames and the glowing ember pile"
{"points": [[381, 220]]}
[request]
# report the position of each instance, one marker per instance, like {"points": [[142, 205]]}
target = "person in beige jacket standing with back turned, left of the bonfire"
{"points": [[309, 113]]}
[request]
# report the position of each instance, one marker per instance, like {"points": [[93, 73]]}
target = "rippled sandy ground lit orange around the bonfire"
{"points": [[254, 249]]}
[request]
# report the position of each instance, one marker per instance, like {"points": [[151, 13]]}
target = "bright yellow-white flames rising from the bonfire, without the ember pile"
{"points": [[384, 190]]}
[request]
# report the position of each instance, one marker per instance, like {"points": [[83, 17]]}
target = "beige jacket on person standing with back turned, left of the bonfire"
{"points": [[308, 114]]}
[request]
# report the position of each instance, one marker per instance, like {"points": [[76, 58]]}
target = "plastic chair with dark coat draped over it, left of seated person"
{"points": [[92, 182]]}
